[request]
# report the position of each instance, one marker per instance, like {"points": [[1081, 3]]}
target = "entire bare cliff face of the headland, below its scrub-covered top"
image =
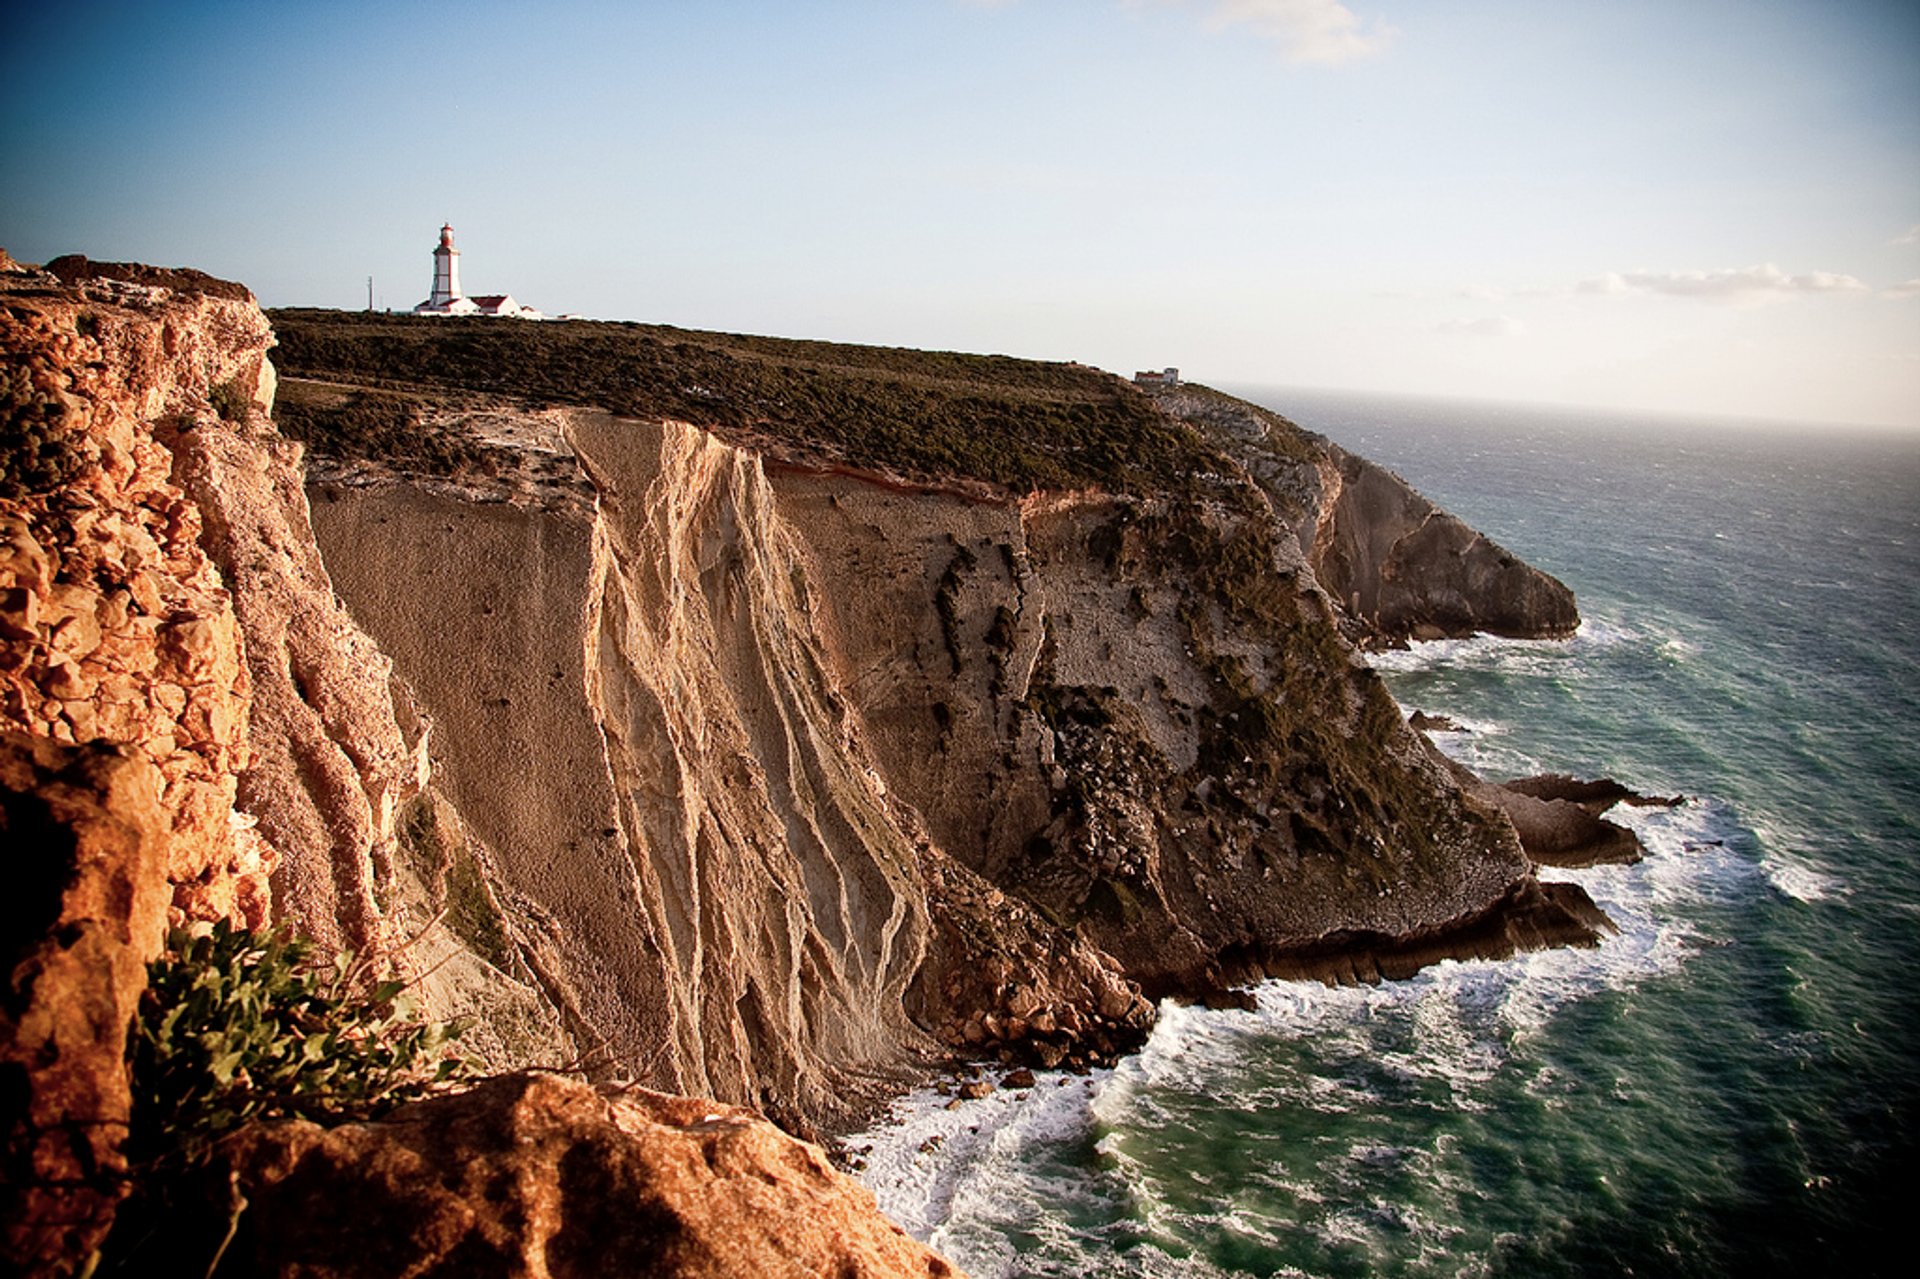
{"points": [[805, 771]]}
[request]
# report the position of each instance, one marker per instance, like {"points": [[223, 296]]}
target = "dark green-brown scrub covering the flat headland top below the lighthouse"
{"points": [[1017, 423]]}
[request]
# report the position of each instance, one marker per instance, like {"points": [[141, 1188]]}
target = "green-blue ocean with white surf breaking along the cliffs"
{"points": [[1727, 1088]]}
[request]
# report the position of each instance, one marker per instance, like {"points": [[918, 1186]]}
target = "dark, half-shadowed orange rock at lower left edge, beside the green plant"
{"points": [[85, 911]]}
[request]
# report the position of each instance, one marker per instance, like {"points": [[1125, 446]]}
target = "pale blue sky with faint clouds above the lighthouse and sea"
{"points": [[1687, 206]]}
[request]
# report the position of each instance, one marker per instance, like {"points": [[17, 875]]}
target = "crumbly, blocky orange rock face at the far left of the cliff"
{"points": [[116, 621]]}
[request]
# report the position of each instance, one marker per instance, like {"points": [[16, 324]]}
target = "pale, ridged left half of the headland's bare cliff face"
{"points": [[638, 717]]}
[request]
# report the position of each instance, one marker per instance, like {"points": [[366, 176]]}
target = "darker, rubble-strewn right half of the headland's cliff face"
{"points": [[1138, 715]]}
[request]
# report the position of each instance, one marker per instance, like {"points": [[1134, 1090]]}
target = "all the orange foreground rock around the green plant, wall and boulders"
{"points": [[195, 731]]}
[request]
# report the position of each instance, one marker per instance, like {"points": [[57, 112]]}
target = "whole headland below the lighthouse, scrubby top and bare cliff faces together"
{"points": [[890, 625]]}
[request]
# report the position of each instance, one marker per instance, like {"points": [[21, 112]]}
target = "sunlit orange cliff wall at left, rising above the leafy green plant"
{"points": [[160, 589]]}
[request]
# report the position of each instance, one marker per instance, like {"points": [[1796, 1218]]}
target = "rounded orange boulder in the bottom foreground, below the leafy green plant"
{"points": [[535, 1176]]}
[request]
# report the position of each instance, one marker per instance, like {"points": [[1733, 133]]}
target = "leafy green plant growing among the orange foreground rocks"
{"points": [[241, 1026]]}
